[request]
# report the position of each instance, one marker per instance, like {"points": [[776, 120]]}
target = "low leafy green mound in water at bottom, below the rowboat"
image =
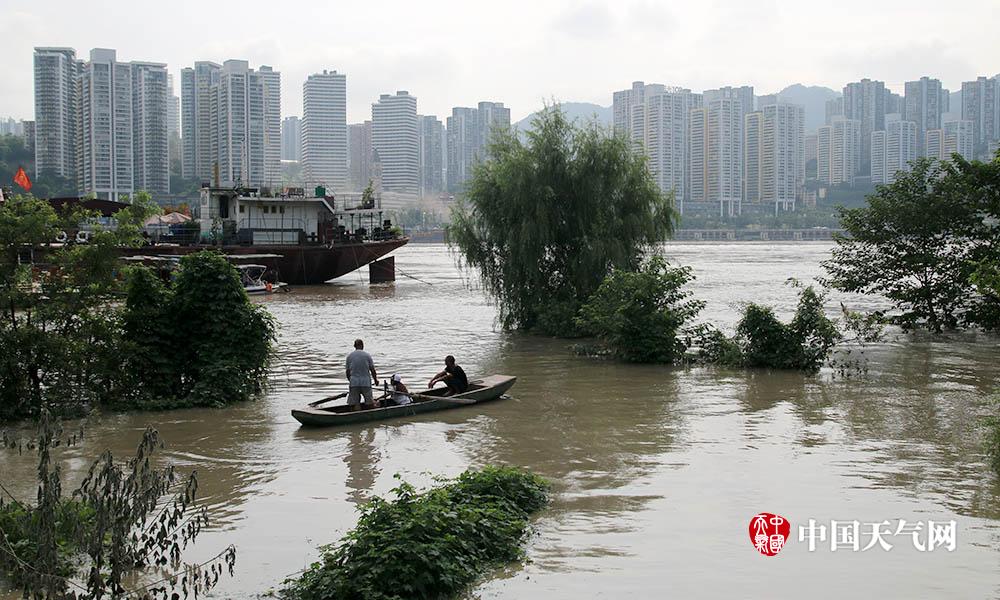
{"points": [[430, 545]]}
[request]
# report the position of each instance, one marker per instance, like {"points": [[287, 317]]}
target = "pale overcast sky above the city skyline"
{"points": [[456, 53]]}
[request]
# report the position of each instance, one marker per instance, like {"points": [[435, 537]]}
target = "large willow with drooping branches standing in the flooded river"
{"points": [[545, 220]]}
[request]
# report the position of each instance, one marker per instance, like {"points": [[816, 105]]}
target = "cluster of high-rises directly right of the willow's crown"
{"points": [[716, 148]]}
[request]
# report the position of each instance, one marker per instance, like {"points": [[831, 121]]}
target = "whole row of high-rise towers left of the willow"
{"points": [[111, 127]]}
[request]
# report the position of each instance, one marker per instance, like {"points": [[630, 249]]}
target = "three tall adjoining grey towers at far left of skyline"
{"points": [[102, 123]]}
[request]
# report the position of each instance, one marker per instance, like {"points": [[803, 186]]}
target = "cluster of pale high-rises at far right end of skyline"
{"points": [[871, 131]]}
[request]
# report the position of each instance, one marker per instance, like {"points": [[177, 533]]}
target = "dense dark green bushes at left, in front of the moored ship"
{"points": [[69, 344]]}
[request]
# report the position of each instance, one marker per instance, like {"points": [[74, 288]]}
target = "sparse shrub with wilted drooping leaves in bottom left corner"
{"points": [[123, 519]]}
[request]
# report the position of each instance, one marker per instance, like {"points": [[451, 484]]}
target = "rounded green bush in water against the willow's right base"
{"points": [[639, 315]]}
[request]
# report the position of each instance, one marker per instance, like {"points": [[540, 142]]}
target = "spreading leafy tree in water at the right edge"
{"points": [[917, 243]]}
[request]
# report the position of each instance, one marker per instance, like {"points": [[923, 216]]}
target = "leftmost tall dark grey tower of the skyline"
{"points": [[56, 71]]}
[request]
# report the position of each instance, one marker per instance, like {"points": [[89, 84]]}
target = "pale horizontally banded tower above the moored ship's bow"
{"points": [[395, 140]]}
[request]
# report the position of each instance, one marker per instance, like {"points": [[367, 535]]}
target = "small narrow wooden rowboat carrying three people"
{"points": [[480, 390]]}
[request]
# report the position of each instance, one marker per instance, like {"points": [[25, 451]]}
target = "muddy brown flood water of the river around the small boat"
{"points": [[656, 471]]}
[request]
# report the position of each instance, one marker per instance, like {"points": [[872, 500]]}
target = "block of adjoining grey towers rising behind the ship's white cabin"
{"points": [[232, 123]]}
